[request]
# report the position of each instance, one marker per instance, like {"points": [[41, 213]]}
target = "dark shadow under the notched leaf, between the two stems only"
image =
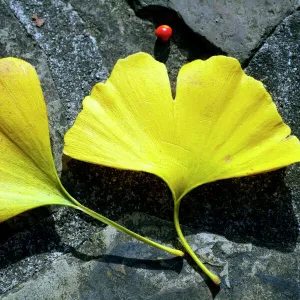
{"points": [[115, 193]]}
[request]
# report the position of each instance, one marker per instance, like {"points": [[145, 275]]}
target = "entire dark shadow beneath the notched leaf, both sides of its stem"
{"points": [[255, 209]]}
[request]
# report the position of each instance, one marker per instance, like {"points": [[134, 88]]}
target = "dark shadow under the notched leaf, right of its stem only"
{"points": [[255, 209]]}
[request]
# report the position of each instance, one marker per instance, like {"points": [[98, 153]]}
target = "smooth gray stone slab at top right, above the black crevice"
{"points": [[236, 27]]}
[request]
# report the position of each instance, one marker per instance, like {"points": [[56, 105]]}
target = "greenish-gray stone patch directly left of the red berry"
{"points": [[118, 31]]}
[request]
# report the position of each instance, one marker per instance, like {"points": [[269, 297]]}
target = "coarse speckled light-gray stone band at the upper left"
{"points": [[72, 52]]}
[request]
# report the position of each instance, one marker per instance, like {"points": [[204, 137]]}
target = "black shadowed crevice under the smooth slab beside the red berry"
{"points": [[194, 45]]}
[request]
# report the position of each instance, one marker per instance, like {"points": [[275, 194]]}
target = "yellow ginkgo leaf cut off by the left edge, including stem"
{"points": [[28, 177]]}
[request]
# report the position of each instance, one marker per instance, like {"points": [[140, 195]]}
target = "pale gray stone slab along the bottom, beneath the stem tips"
{"points": [[113, 266]]}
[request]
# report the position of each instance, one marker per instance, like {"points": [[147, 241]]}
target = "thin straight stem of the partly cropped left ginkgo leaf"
{"points": [[125, 230]]}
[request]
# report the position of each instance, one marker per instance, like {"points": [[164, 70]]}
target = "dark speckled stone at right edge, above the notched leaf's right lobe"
{"points": [[277, 65]]}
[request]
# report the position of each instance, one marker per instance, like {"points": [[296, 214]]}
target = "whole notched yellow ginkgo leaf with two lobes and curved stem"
{"points": [[221, 124]]}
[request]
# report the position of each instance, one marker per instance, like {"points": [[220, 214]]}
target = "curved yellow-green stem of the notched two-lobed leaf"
{"points": [[187, 247]]}
